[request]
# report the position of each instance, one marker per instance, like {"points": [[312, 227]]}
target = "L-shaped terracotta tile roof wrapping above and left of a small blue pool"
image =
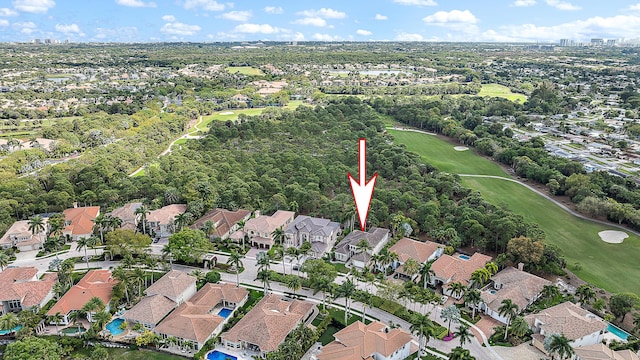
{"points": [[192, 320]]}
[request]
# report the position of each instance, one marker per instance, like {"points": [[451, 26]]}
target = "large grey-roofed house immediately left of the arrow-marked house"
{"points": [[321, 233]]}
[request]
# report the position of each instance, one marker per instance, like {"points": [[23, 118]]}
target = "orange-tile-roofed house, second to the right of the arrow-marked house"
{"points": [[448, 269]]}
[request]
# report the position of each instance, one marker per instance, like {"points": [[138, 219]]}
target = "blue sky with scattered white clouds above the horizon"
{"points": [[407, 20]]}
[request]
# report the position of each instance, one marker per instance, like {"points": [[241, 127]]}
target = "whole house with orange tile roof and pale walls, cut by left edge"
{"points": [[20, 289]]}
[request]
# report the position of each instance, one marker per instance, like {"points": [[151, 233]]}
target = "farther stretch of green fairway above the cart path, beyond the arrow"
{"points": [[441, 154]]}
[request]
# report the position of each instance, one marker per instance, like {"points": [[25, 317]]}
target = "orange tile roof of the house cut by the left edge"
{"points": [[22, 284]]}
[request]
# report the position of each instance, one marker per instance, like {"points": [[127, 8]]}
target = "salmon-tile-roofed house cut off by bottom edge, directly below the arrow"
{"points": [[374, 341]]}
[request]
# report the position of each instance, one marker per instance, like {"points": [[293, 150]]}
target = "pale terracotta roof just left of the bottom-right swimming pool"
{"points": [[568, 319]]}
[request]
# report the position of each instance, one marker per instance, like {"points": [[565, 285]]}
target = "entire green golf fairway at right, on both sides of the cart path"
{"points": [[609, 266]]}
